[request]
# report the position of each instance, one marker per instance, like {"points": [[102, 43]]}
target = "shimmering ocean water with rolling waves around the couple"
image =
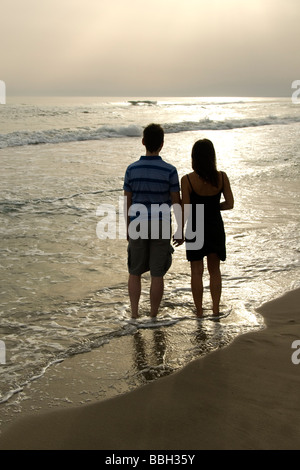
{"points": [[64, 290]]}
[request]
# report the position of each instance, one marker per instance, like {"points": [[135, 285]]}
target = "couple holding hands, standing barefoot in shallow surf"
{"points": [[152, 182]]}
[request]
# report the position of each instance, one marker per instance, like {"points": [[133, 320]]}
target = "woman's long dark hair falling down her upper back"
{"points": [[204, 161]]}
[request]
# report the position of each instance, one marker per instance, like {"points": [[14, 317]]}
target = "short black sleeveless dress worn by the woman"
{"points": [[214, 233]]}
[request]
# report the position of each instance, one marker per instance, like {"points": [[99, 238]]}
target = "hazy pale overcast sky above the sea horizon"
{"points": [[150, 47]]}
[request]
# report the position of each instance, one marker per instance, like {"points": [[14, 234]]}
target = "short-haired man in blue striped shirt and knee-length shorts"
{"points": [[151, 186]]}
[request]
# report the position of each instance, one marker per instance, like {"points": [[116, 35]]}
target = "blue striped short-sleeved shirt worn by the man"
{"points": [[150, 180]]}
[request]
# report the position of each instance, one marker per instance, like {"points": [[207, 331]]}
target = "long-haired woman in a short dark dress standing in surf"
{"points": [[205, 186]]}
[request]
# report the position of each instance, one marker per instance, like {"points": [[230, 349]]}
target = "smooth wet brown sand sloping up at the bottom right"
{"points": [[244, 396]]}
